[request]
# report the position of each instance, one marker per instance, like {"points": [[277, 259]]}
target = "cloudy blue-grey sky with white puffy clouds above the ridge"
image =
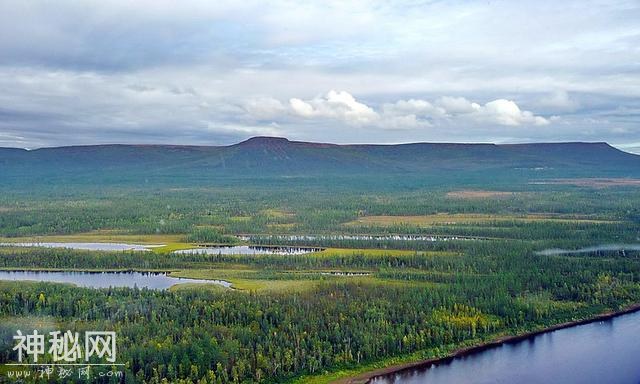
{"points": [[217, 72]]}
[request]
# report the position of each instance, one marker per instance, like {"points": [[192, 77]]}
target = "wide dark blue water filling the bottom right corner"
{"points": [[601, 352]]}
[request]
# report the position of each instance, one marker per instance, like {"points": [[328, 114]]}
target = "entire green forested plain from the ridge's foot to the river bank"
{"points": [[292, 317]]}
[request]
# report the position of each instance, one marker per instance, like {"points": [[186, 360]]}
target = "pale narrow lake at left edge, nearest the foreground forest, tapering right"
{"points": [[151, 280]]}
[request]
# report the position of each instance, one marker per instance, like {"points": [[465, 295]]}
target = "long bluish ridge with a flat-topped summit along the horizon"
{"points": [[262, 158]]}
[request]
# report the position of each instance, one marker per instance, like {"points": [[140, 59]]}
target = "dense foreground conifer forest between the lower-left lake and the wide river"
{"points": [[231, 337]]}
